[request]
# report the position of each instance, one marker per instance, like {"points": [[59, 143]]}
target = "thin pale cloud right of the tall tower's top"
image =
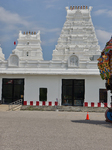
{"points": [[103, 12]]}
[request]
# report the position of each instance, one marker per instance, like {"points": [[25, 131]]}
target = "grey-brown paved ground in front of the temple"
{"points": [[44, 130]]}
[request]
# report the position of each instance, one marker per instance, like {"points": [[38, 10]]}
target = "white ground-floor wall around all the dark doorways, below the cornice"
{"points": [[53, 83]]}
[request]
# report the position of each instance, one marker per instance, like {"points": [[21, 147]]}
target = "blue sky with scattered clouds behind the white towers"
{"points": [[48, 16]]}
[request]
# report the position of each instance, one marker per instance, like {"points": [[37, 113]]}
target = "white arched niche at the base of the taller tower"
{"points": [[73, 61]]}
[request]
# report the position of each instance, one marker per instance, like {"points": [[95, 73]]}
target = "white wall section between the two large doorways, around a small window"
{"points": [[34, 83]]}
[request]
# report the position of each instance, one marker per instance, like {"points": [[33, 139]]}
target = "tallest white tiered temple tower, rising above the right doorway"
{"points": [[77, 36]]}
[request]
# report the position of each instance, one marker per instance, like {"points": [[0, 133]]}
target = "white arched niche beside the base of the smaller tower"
{"points": [[13, 60]]}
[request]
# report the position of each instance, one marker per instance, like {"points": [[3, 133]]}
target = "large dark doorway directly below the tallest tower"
{"points": [[73, 92]]}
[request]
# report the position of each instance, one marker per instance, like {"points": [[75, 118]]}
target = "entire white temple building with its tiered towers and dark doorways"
{"points": [[70, 78]]}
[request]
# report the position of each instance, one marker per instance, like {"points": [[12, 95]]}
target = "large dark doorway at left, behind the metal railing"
{"points": [[12, 90]]}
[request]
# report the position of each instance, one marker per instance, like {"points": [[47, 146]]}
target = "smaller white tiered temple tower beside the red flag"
{"points": [[29, 46]]}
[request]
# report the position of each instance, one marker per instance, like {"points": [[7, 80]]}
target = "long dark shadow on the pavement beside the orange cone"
{"points": [[94, 122]]}
